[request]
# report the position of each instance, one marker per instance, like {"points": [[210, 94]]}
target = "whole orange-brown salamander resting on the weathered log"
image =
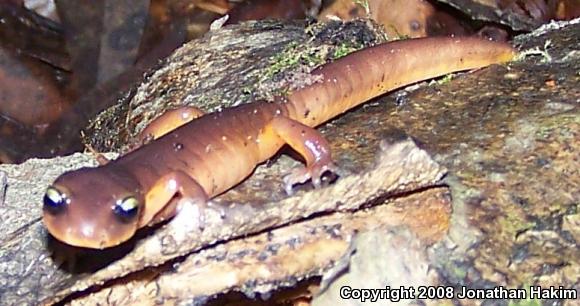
{"points": [[104, 206]]}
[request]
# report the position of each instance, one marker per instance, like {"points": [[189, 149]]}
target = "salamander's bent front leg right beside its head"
{"points": [[162, 201]]}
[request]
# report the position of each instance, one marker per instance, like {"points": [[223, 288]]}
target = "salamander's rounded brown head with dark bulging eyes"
{"points": [[93, 207]]}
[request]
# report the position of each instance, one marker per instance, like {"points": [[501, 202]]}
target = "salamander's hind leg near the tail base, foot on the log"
{"points": [[312, 147]]}
